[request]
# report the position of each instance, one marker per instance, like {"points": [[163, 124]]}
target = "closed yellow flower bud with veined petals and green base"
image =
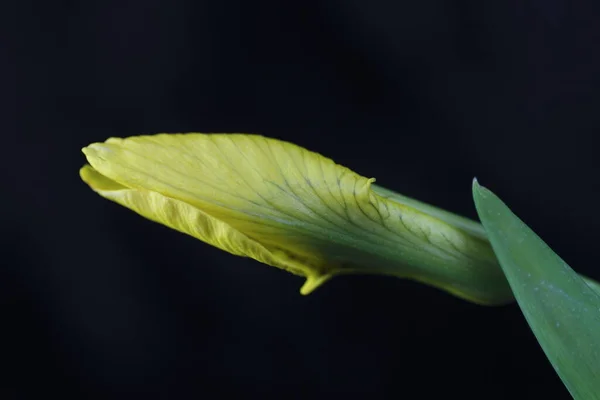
{"points": [[291, 208]]}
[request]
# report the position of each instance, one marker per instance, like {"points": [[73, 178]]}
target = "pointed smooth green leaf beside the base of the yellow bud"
{"points": [[562, 310]]}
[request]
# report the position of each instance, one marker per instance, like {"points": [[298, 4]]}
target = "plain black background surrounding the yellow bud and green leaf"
{"points": [[423, 95]]}
